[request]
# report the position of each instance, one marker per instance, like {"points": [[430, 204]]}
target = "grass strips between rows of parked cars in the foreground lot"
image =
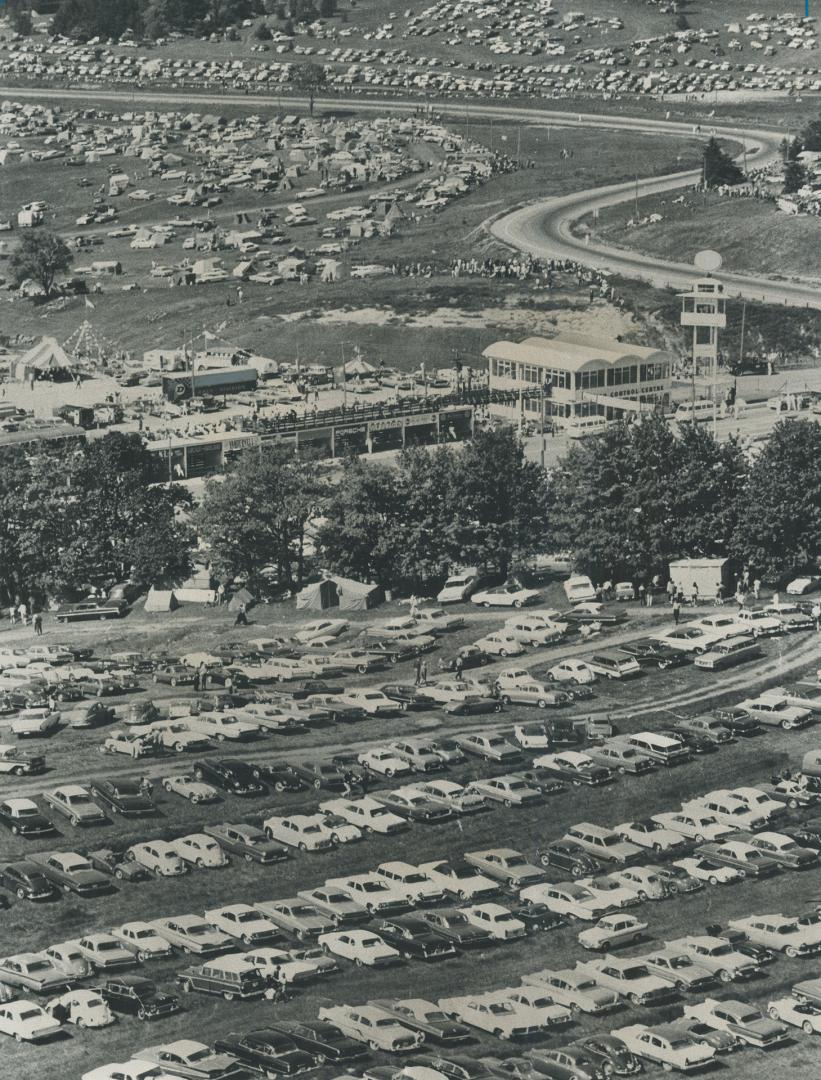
{"points": [[31, 926]]}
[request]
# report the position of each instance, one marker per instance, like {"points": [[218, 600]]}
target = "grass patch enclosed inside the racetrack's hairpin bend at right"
{"points": [[752, 236]]}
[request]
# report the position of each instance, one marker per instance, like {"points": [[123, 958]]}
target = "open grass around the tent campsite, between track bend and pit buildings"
{"points": [[158, 316]]}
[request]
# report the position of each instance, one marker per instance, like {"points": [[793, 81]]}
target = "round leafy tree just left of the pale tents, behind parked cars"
{"points": [[257, 518]]}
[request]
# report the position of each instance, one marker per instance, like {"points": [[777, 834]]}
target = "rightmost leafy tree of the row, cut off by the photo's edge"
{"points": [[779, 532]]}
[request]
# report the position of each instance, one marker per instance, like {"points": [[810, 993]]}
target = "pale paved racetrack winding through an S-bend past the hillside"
{"points": [[542, 227]]}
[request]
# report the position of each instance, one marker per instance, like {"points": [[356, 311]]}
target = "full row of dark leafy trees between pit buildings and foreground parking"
{"points": [[623, 504]]}
